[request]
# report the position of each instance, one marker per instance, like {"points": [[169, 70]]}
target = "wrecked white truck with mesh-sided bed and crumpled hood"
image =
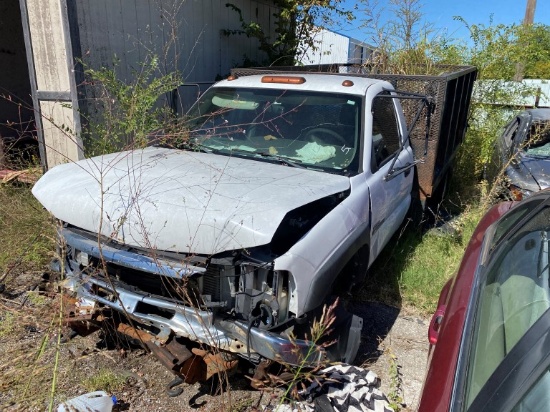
{"points": [[285, 188]]}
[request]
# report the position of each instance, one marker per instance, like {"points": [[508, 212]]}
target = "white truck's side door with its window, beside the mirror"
{"points": [[390, 198]]}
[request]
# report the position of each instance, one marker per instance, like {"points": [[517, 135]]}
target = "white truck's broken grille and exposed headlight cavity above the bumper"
{"points": [[244, 291]]}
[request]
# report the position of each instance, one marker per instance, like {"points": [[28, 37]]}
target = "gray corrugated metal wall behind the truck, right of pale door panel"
{"points": [[184, 34]]}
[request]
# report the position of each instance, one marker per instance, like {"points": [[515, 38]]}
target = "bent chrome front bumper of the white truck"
{"points": [[195, 324]]}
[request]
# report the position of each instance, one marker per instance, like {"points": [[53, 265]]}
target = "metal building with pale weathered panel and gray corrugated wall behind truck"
{"points": [[186, 35]]}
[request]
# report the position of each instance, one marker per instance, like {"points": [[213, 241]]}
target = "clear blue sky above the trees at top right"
{"points": [[440, 13]]}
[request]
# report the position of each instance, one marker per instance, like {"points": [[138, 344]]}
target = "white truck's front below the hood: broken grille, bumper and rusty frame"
{"points": [[232, 303]]}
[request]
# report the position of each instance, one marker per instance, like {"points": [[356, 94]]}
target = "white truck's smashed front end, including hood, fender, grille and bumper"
{"points": [[200, 289]]}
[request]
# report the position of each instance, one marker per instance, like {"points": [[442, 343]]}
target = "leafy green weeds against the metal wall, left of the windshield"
{"points": [[128, 112]]}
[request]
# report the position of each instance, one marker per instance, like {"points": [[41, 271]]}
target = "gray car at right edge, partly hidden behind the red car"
{"points": [[523, 151]]}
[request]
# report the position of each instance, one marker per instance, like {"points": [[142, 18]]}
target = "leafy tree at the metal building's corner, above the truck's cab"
{"points": [[296, 23]]}
